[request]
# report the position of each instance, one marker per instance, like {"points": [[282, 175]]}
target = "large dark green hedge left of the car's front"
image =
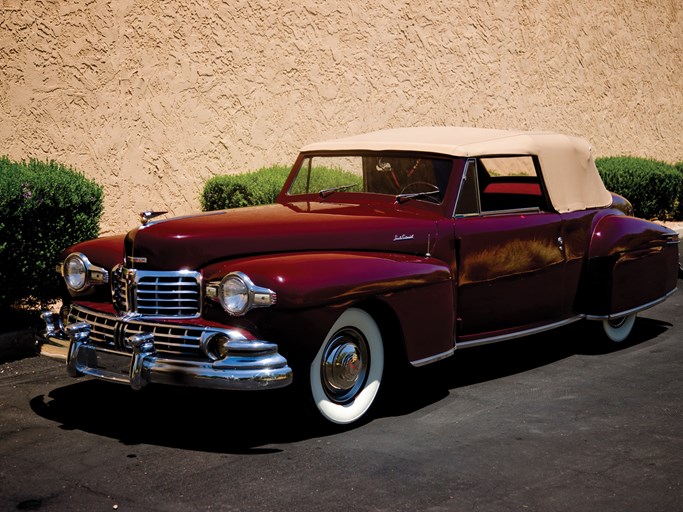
{"points": [[44, 208]]}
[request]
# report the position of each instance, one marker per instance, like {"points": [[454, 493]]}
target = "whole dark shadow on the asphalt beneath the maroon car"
{"points": [[250, 423]]}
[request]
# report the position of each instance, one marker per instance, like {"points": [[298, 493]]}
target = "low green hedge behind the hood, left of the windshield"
{"points": [[248, 189]]}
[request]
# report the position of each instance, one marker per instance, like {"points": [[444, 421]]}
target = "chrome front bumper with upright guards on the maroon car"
{"points": [[249, 364]]}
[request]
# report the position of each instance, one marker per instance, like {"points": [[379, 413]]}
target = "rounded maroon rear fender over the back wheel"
{"points": [[632, 264]]}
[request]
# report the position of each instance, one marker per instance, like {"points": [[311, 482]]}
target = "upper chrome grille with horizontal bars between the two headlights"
{"points": [[157, 294]]}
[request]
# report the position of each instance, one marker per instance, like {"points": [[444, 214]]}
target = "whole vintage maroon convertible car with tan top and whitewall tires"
{"points": [[434, 239]]}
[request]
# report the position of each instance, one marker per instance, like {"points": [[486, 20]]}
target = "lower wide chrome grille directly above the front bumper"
{"points": [[169, 339]]}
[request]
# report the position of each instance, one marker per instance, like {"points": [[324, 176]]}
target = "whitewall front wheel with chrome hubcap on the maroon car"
{"points": [[347, 370]]}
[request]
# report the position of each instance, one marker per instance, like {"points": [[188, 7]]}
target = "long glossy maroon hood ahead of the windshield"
{"points": [[196, 241]]}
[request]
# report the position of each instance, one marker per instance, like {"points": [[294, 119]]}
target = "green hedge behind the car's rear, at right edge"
{"points": [[653, 187]]}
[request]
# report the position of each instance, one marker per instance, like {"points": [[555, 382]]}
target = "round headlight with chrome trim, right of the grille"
{"points": [[238, 295]]}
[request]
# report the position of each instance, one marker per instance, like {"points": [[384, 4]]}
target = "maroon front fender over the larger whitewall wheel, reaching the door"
{"points": [[412, 296]]}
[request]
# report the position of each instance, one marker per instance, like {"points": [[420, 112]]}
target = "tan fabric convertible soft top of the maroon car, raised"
{"points": [[567, 163]]}
